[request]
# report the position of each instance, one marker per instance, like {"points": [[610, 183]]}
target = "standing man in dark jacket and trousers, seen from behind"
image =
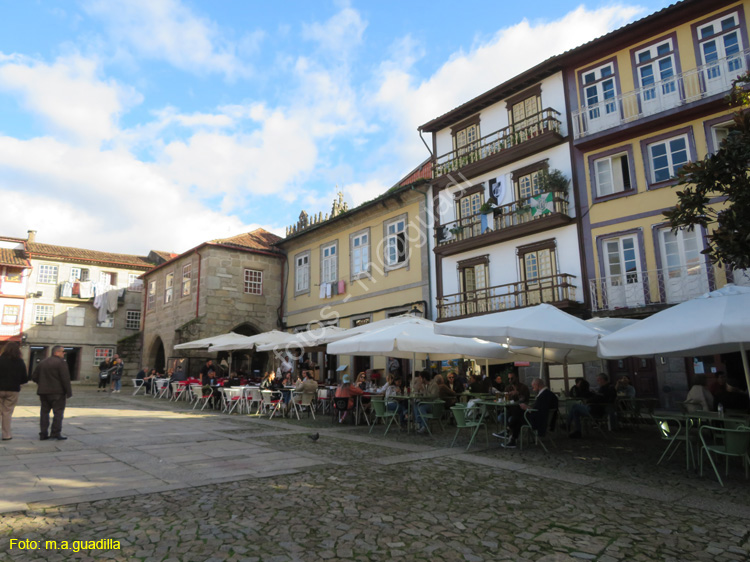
{"points": [[53, 380]]}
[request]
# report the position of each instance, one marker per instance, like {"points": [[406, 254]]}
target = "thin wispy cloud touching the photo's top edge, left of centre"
{"points": [[168, 30]]}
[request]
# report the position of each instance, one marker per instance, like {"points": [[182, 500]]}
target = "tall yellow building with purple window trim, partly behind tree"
{"points": [[645, 100]]}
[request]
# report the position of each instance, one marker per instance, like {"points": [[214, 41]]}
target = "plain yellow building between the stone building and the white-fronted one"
{"points": [[359, 266]]}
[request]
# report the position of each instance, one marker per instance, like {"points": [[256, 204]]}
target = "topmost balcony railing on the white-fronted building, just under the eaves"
{"points": [[494, 143]]}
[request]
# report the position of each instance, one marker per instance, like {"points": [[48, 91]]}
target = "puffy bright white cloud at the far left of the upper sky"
{"points": [[68, 95]]}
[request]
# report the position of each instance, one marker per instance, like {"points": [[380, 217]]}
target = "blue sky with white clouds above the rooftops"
{"points": [[132, 125]]}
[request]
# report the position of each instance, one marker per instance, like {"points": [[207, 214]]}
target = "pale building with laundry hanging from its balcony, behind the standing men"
{"points": [[61, 309]]}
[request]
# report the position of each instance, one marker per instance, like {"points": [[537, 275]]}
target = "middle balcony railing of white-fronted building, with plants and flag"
{"points": [[529, 209]]}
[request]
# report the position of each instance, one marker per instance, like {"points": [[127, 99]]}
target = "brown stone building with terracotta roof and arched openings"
{"points": [[225, 285]]}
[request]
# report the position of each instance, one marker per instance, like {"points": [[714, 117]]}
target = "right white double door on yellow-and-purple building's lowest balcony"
{"points": [[684, 273]]}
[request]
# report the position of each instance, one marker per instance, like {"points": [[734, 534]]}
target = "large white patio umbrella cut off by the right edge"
{"points": [[717, 322]]}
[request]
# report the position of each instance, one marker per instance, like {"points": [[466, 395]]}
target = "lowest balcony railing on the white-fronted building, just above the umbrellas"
{"points": [[558, 288]]}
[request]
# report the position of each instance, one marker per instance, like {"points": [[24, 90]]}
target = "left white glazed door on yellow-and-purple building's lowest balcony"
{"points": [[624, 278]]}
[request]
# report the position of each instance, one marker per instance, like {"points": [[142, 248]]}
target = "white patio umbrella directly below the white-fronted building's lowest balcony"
{"points": [[544, 326]]}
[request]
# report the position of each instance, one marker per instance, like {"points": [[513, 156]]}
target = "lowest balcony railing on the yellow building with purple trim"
{"points": [[639, 289]]}
